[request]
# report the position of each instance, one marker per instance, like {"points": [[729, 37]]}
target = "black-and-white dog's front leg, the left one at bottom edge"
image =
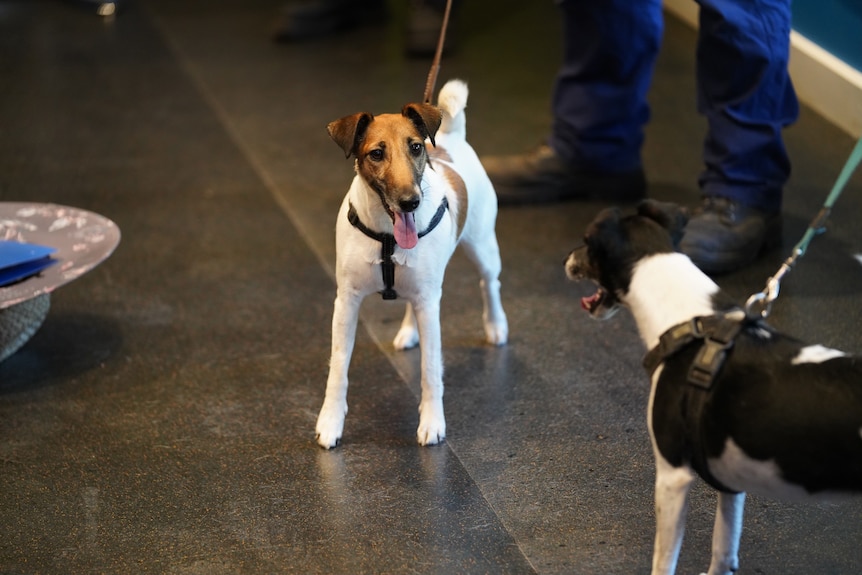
{"points": [[671, 504]]}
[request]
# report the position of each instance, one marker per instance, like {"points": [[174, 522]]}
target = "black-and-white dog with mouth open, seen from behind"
{"points": [[746, 408]]}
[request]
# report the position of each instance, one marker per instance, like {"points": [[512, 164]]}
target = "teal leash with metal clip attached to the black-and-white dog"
{"points": [[765, 298]]}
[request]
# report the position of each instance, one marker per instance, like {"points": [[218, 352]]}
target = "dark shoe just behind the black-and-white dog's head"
{"points": [[723, 235]]}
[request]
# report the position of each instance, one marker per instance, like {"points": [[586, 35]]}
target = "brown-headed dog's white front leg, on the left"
{"points": [[345, 315]]}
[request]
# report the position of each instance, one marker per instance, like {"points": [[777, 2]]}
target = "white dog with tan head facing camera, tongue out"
{"points": [[409, 205]]}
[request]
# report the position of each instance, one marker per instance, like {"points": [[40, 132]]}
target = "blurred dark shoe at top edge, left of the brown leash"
{"points": [[308, 19]]}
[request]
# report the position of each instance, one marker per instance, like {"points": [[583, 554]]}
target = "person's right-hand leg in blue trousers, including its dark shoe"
{"points": [[745, 92]]}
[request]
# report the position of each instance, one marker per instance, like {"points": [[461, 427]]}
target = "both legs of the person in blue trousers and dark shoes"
{"points": [[600, 108]]}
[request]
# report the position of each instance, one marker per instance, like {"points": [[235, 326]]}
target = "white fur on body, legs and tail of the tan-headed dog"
{"points": [[419, 272]]}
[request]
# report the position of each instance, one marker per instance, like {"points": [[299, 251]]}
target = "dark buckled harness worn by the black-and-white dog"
{"points": [[715, 335]]}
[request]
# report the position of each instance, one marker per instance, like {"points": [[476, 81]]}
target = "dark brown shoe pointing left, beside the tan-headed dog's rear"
{"points": [[542, 177]]}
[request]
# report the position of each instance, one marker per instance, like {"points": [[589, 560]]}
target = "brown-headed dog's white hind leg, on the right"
{"points": [[485, 255]]}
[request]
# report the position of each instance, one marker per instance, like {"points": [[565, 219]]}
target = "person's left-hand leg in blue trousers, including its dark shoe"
{"points": [[599, 107]]}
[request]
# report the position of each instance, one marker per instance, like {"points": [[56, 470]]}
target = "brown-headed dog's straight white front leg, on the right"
{"points": [[432, 422]]}
